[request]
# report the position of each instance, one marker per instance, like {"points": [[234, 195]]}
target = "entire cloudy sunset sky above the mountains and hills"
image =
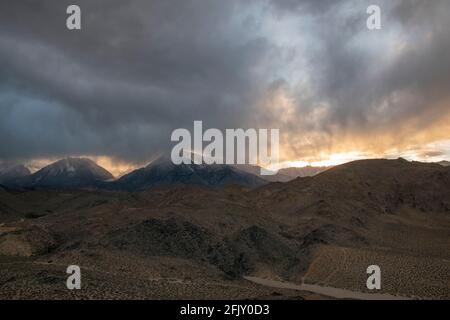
{"points": [[137, 70]]}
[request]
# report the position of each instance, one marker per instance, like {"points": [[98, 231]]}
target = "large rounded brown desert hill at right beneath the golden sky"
{"points": [[372, 204]]}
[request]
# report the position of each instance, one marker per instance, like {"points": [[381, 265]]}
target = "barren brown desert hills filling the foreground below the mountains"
{"points": [[324, 229]]}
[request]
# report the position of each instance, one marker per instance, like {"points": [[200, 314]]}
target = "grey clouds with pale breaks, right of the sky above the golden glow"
{"points": [[394, 81]]}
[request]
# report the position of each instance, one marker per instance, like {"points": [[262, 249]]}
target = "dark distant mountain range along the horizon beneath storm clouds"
{"points": [[83, 173]]}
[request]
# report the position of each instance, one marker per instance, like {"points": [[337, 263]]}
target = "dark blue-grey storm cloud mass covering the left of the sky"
{"points": [[133, 74]]}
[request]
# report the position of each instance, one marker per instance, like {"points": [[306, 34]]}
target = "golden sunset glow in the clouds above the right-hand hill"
{"points": [[310, 135]]}
